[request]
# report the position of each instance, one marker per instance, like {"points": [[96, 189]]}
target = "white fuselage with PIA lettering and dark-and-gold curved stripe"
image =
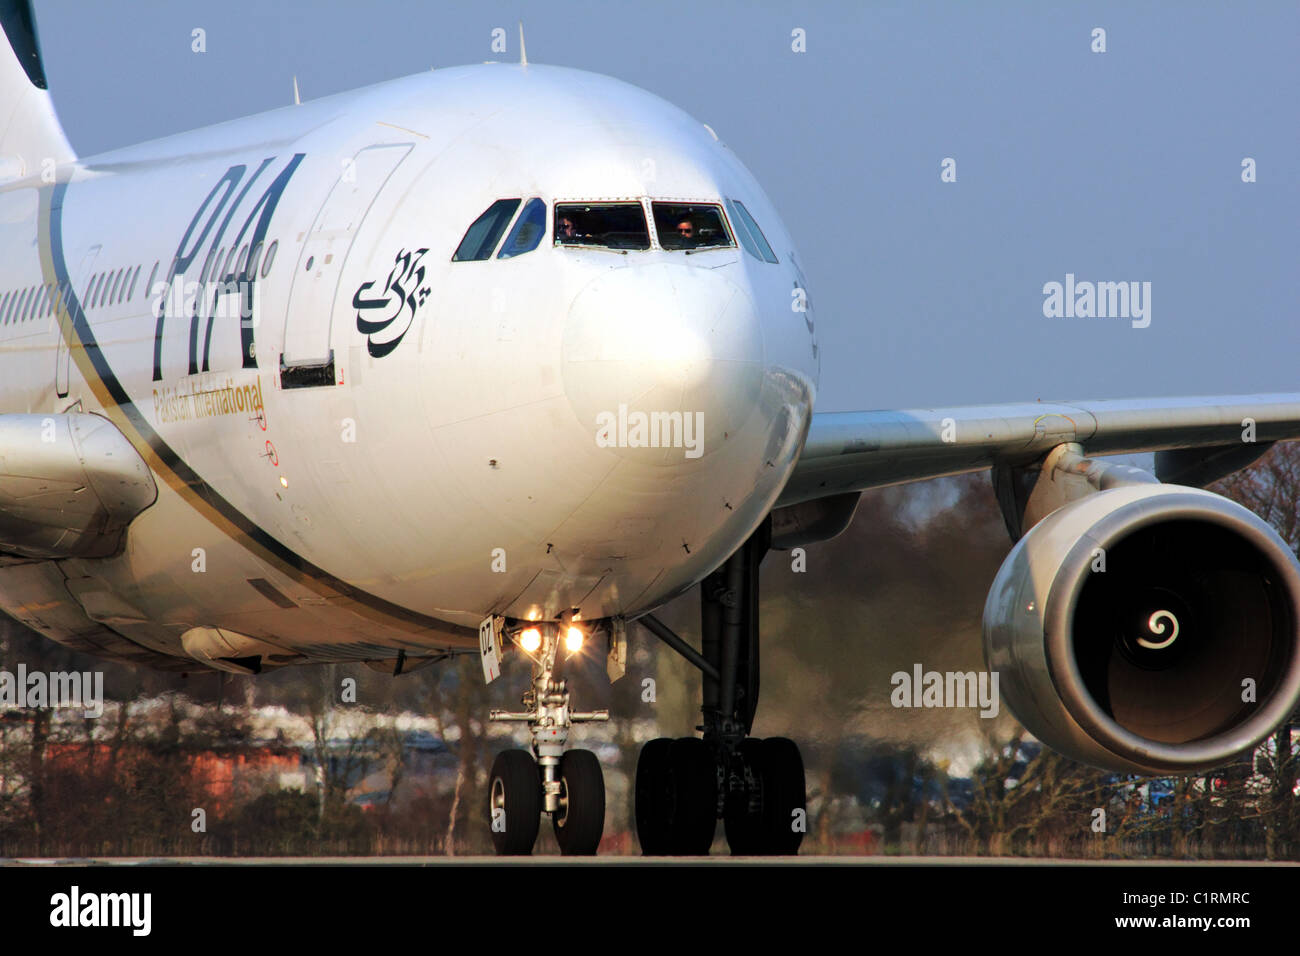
{"points": [[454, 468]]}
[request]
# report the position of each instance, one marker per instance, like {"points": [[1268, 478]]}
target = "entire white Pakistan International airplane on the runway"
{"points": [[500, 360]]}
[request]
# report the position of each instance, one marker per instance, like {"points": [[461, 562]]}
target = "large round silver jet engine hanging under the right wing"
{"points": [[1149, 629]]}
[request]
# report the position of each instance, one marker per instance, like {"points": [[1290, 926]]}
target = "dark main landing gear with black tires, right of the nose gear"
{"points": [[755, 786]]}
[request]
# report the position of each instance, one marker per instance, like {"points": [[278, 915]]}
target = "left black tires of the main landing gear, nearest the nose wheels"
{"points": [[677, 798]]}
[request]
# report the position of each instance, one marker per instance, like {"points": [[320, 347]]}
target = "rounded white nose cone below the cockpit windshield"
{"points": [[664, 340]]}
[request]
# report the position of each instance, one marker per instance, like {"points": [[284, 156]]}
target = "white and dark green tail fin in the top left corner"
{"points": [[31, 135]]}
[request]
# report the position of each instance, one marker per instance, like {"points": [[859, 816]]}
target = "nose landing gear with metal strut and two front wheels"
{"points": [[566, 785]]}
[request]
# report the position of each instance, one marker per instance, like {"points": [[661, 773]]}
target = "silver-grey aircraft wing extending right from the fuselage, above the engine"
{"points": [[1198, 439]]}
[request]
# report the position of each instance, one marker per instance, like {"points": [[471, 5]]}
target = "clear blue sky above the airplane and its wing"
{"points": [[1124, 166]]}
